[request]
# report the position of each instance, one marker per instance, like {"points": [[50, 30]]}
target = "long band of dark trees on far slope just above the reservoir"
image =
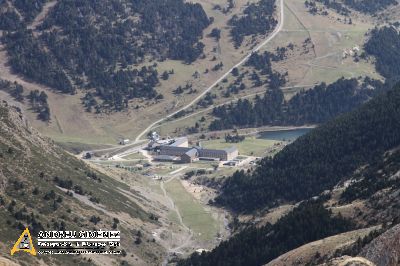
{"points": [[314, 106]]}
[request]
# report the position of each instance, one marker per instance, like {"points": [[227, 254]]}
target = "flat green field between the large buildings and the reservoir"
{"points": [[251, 146]]}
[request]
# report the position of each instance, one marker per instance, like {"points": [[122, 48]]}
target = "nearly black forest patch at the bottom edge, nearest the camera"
{"points": [[257, 246]]}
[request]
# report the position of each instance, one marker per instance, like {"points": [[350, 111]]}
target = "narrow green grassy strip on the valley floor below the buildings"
{"points": [[200, 221]]}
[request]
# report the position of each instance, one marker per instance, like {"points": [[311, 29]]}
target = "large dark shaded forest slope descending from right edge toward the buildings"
{"points": [[319, 160]]}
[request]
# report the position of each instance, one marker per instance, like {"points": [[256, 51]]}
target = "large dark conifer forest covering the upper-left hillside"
{"points": [[95, 44]]}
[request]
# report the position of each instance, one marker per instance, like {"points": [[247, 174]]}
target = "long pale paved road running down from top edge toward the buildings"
{"points": [[259, 47]]}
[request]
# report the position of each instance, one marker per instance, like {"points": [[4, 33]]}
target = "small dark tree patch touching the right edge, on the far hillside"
{"points": [[384, 45]]}
